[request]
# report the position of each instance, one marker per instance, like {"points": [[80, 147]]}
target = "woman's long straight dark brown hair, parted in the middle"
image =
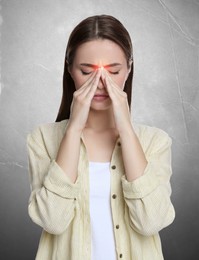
{"points": [[94, 27]]}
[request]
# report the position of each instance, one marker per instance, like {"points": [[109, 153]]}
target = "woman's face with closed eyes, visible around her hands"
{"points": [[99, 53]]}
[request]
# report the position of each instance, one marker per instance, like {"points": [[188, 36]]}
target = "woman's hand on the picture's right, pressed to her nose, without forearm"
{"points": [[119, 103]]}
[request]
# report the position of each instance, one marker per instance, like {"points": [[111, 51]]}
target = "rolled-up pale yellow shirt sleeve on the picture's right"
{"points": [[148, 197]]}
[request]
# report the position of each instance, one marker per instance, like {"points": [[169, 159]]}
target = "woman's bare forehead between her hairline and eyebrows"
{"points": [[100, 51]]}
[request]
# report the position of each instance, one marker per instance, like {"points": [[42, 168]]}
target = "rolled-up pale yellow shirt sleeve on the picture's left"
{"points": [[53, 196]]}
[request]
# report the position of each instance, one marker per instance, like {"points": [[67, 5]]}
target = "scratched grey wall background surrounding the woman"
{"points": [[165, 35]]}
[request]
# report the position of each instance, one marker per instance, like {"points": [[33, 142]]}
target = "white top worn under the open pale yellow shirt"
{"points": [[103, 242]]}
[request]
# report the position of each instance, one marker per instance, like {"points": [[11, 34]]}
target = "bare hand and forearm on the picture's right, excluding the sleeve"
{"points": [[133, 156]]}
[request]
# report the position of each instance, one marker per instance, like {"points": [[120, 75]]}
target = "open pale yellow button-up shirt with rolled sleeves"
{"points": [[140, 209]]}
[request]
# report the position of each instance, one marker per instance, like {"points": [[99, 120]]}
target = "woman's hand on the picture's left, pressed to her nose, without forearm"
{"points": [[81, 102]]}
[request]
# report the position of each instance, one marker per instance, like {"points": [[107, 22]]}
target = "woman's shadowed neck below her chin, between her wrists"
{"points": [[100, 121]]}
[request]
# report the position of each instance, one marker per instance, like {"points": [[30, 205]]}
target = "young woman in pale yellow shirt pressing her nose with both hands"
{"points": [[100, 183]]}
